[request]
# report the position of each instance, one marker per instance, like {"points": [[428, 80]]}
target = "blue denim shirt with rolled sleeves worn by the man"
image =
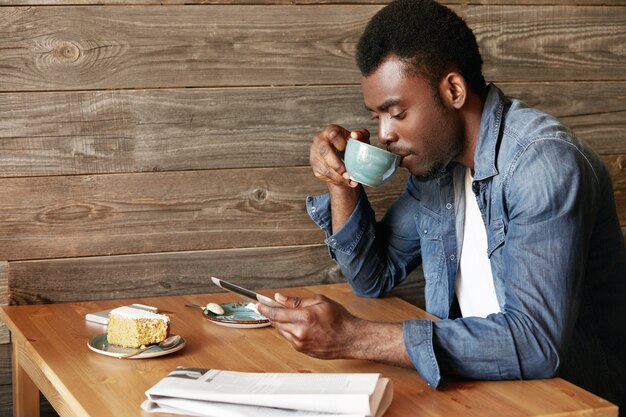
{"points": [[555, 246]]}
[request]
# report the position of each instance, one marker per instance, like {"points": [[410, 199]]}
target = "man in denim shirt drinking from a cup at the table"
{"points": [[511, 216]]}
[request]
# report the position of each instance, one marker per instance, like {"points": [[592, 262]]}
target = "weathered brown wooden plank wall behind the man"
{"points": [[146, 145]]}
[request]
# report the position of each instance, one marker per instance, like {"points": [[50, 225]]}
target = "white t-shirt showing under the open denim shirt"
{"points": [[475, 291]]}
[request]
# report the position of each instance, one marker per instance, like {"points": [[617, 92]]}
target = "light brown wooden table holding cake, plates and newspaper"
{"points": [[50, 355]]}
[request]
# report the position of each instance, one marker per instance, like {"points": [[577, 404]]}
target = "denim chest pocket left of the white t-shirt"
{"points": [[429, 229]]}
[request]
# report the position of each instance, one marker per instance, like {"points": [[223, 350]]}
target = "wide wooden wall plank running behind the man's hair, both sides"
{"points": [[99, 47]]}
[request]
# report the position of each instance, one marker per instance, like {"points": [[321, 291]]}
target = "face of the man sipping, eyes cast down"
{"points": [[412, 123]]}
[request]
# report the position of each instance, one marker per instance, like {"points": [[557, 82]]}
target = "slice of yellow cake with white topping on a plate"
{"points": [[132, 328]]}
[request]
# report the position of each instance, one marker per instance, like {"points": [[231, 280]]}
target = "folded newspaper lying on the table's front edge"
{"points": [[215, 393]]}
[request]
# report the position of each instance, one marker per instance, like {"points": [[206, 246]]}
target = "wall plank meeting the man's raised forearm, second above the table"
{"points": [[53, 217]]}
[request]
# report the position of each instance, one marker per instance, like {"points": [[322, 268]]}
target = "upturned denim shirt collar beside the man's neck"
{"points": [[488, 134]]}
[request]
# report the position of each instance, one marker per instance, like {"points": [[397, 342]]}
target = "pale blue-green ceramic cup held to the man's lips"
{"points": [[368, 164]]}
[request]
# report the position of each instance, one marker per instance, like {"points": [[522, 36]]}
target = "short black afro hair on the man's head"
{"points": [[427, 36]]}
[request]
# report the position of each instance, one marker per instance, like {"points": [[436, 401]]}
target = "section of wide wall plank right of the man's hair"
{"points": [[519, 43]]}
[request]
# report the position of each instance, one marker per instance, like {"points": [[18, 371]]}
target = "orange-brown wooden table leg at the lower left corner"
{"points": [[25, 392]]}
